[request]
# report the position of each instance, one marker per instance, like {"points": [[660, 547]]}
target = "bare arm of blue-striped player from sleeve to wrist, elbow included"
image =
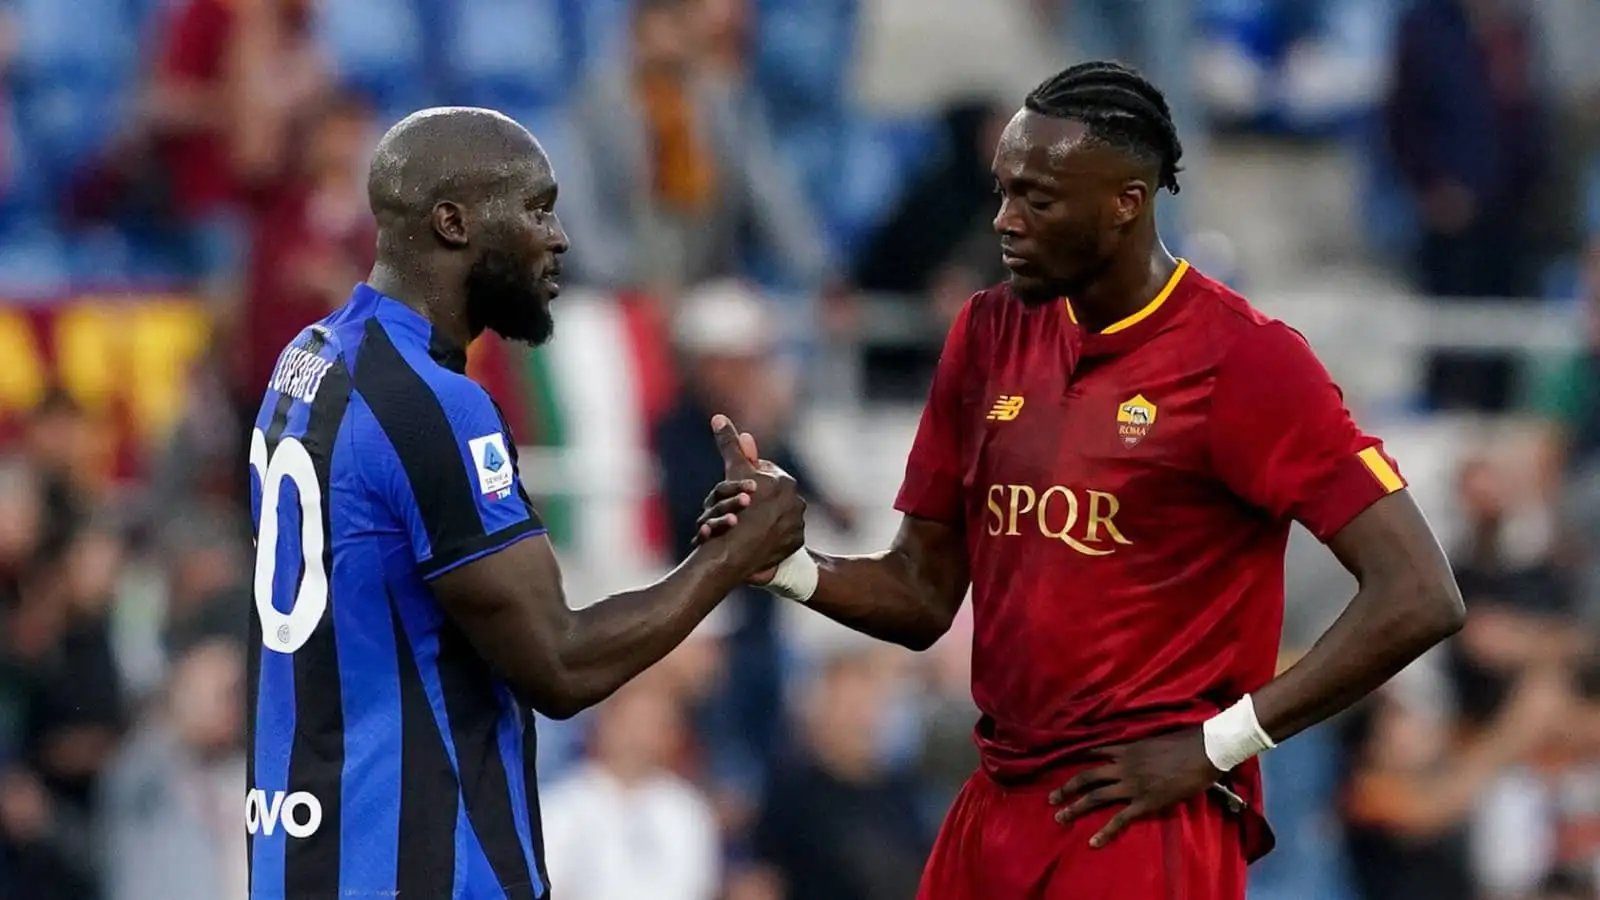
{"points": [[513, 608]]}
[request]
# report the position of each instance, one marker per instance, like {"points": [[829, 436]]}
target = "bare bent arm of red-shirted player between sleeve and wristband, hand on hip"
{"points": [[1407, 603]]}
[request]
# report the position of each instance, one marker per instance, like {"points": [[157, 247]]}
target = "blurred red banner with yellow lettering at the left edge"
{"points": [[124, 358]]}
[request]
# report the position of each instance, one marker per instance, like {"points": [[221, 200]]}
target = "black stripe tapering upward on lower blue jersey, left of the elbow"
{"points": [[430, 795]]}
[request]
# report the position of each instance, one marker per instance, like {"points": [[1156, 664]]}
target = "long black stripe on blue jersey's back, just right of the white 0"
{"points": [[318, 753]]}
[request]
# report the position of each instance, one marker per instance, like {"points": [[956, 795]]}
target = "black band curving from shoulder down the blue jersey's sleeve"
{"points": [[415, 424]]}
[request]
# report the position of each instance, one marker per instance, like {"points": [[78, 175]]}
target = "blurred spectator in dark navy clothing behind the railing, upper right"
{"points": [[1470, 134]]}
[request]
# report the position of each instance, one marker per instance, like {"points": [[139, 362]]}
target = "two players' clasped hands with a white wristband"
{"points": [[754, 521]]}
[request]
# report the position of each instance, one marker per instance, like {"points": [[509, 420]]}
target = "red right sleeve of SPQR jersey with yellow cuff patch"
{"points": [[1284, 441]]}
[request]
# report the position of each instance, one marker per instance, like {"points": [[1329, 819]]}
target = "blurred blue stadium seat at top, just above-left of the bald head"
{"points": [[380, 52]]}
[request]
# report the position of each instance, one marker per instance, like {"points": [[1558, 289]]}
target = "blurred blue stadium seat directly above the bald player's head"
{"points": [[511, 54]]}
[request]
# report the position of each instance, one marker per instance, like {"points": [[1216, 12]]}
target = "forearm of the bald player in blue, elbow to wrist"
{"points": [[612, 641]]}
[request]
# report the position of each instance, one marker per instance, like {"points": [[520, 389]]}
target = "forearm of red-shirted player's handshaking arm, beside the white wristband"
{"points": [[884, 597]]}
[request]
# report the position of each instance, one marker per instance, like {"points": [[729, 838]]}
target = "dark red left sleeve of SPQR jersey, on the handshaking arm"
{"points": [[934, 470]]}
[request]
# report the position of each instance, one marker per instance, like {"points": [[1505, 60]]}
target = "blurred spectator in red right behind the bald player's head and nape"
{"points": [[313, 236]]}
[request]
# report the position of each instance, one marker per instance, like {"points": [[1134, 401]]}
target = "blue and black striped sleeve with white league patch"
{"points": [[454, 475]]}
